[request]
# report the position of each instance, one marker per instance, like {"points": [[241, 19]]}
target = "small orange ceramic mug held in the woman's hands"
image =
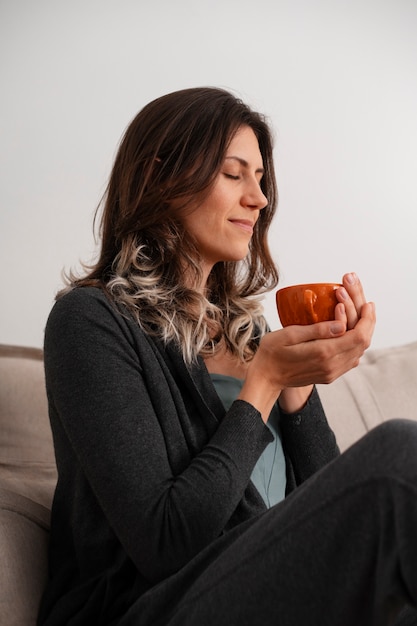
{"points": [[307, 304]]}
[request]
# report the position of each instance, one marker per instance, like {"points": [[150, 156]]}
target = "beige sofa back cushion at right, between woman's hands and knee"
{"points": [[382, 387]]}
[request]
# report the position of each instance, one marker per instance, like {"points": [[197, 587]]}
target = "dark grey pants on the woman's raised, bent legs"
{"points": [[340, 551]]}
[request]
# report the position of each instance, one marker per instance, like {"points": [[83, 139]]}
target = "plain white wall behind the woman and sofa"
{"points": [[337, 79]]}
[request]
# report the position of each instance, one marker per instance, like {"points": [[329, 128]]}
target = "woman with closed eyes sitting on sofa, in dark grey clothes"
{"points": [[199, 481]]}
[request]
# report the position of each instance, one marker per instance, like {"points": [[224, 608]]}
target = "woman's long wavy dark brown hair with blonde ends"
{"points": [[167, 161]]}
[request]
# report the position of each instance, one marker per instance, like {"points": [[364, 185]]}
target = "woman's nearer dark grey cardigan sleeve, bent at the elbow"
{"points": [[114, 470]]}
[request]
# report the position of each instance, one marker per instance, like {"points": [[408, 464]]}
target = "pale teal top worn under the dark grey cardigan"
{"points": [[268, 476]]}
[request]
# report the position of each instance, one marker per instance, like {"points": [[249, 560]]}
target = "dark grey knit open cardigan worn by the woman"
{"points": [[151, 470]]}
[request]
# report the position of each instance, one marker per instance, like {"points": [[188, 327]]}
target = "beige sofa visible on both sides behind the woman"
{"points": [[383, 386]]}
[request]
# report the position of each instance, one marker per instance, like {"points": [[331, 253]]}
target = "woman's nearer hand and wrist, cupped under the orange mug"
{"points": [[299, 356]]}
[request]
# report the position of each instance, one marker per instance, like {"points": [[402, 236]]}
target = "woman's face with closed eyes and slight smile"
{"points": [[222, 225]]}
